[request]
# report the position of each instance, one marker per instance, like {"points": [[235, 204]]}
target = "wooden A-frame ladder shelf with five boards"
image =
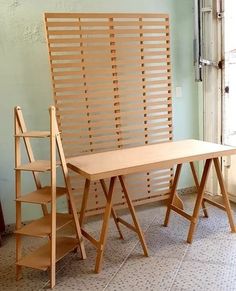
{"points": [[57, 247]]}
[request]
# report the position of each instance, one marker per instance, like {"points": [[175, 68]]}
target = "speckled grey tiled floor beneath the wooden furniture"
{"points": [[208, 264]]}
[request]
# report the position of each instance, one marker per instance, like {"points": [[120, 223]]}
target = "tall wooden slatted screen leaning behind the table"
{"points": [[111, 77]]}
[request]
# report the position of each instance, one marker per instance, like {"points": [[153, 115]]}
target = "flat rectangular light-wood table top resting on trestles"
{"points": [[146, 158]]}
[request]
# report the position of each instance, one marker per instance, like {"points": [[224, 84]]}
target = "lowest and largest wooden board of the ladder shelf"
{"points": [[40, 258]]}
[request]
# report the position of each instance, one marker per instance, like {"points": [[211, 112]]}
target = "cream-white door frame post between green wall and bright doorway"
{"points": [[211, 99]]}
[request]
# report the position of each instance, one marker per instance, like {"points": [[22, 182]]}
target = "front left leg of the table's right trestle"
{"points": [[198, 202]]}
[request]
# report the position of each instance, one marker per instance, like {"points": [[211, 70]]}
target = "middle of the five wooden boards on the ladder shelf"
{"points": [[41, 196]]}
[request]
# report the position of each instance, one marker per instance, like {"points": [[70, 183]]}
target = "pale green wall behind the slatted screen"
{"points": [[25, 79]]}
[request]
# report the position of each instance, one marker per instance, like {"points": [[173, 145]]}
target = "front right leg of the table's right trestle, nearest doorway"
{"points": [[224, 194]]}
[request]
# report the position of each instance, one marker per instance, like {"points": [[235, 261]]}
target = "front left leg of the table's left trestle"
{"points": [[103, 235]]}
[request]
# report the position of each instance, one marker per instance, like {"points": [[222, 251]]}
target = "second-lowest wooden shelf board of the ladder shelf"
{"points": [[42, 227]]}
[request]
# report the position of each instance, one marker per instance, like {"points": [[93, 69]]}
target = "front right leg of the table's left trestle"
{"points": [[134, 217]]}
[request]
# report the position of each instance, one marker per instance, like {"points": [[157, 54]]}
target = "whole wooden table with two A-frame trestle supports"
{"points": [[116, 164]]}
